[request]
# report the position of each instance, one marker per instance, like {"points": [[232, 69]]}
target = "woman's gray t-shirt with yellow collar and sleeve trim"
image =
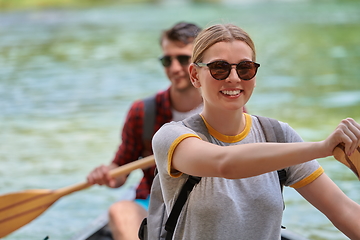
{"points": [[218, 208]]}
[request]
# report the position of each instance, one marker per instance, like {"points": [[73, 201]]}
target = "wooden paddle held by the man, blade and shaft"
{"points": [[18, 209]]}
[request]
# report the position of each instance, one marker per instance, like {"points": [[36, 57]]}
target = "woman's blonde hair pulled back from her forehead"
{"points": [[219, 33]]}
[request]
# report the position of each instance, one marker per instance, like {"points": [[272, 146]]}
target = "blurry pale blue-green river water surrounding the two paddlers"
{"points": [[67, 78]]}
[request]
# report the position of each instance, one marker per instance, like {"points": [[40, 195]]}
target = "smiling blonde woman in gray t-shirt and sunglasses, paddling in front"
{"points": [[239, 196]]}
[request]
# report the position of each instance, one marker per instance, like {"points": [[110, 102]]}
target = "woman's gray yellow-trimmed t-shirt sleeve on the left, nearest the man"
{"points": [[164, 143]]}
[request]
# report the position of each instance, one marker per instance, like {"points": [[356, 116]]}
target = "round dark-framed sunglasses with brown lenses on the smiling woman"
{"points": [[220, 70]]}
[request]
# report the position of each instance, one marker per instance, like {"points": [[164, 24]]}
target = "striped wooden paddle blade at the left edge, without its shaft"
{"points": [[18, 209]]}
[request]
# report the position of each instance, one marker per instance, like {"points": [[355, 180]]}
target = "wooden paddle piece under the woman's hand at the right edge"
{"points": [[352, 162]]}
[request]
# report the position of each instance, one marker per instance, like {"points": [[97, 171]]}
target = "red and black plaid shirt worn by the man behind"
{"points": [[132, 146]]}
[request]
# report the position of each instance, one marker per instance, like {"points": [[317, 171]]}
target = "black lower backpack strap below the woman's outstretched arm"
{"points": [[179, 203]]}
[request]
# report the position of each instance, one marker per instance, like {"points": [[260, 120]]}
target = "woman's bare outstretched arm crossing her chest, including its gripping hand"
{"points": [[196, 157]]}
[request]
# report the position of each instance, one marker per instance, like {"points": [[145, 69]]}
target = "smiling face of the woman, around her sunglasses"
{"points": [[231, 93]]}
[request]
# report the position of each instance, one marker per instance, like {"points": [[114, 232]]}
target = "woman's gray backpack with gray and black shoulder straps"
{"points": [[162, 227]]}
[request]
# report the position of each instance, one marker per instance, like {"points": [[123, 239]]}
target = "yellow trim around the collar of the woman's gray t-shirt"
{"points": [[230, 139]]}
